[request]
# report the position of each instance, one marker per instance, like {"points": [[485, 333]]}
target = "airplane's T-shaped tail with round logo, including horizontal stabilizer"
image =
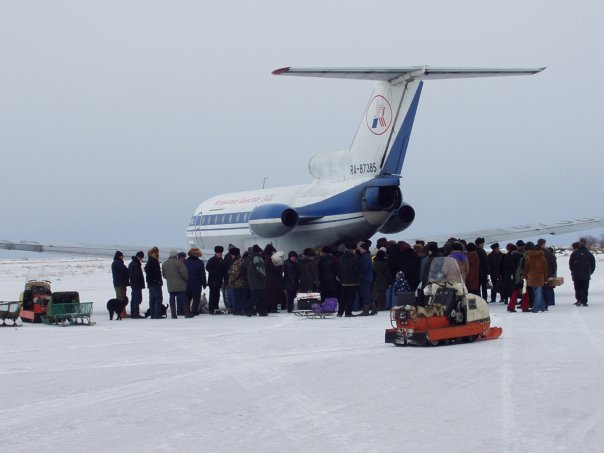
{"points": [[380, 144]]}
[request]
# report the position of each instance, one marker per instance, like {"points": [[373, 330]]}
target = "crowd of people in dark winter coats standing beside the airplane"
{"points": [[262, 281]]}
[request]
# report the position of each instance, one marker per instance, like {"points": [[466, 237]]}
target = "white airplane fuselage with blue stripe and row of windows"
{"points": [[328, 213]]}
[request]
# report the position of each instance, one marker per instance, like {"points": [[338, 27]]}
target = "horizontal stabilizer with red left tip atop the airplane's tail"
{"points": [[393, 75]]}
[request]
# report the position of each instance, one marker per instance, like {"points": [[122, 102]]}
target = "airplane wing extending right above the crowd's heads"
{"points": [[523, 231]]}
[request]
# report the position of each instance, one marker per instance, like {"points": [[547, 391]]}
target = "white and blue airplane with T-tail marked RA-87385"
{"points": [[354, 194]]}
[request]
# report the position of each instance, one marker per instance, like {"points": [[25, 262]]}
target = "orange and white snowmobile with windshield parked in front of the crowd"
{"points": [[445, 312]]}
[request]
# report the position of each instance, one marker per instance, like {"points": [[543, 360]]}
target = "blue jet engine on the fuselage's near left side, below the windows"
{"points": [[272, 220]]}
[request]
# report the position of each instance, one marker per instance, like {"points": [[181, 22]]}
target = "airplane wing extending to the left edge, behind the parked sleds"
{"points": [[78, 248]]}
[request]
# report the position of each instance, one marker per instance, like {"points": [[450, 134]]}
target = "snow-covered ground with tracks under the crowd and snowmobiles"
{"points": [[283, 383]]}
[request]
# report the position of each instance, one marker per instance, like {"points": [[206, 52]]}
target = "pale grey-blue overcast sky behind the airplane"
{"points": [[117, 118]]}
